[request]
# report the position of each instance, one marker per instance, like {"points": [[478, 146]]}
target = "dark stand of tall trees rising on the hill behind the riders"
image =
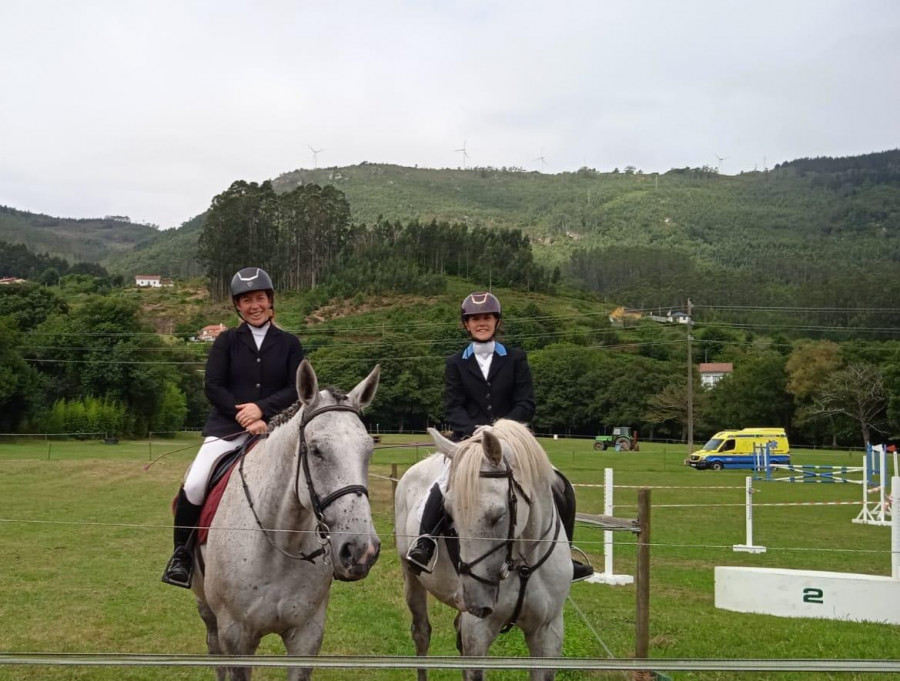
{"points": [[304, 239]]}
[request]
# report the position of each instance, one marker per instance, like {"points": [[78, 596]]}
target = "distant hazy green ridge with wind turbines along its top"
{"points": [[811, 232]]}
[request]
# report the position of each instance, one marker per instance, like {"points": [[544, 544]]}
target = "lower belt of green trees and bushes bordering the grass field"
{"points": [[79, 361]]}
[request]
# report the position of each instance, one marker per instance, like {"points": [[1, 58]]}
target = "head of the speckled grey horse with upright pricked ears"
{"points": [[335, 452]]}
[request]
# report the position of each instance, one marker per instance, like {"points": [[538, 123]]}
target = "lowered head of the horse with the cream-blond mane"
{"points": [[489, 496]]}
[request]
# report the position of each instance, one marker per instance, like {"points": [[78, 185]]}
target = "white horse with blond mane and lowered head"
{"points": [[515, 566]]}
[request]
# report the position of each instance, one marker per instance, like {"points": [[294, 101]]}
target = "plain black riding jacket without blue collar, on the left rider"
{"points": [[236, 372]]}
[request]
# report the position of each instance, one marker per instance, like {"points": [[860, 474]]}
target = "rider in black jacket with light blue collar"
{"points": [[485, 382]]}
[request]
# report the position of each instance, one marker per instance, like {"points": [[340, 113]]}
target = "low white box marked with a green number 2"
{"points": [[808, 593]]}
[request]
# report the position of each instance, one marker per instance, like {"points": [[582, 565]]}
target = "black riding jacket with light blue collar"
{"points": [[470, 400]]}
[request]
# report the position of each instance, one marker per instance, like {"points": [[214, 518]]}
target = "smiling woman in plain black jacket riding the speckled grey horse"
{"points": [[250, 377]]}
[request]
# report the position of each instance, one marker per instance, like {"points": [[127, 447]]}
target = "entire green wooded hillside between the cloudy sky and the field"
{"points": [[791, 274]]}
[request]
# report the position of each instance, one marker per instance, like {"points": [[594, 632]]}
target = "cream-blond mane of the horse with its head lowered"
{"points": [[526, 458]]}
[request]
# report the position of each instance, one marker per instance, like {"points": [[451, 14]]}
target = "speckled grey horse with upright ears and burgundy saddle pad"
{"points": [[294, 516]]}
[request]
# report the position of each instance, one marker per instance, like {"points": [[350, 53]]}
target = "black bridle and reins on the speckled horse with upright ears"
{"points": [[318, 504]]}
